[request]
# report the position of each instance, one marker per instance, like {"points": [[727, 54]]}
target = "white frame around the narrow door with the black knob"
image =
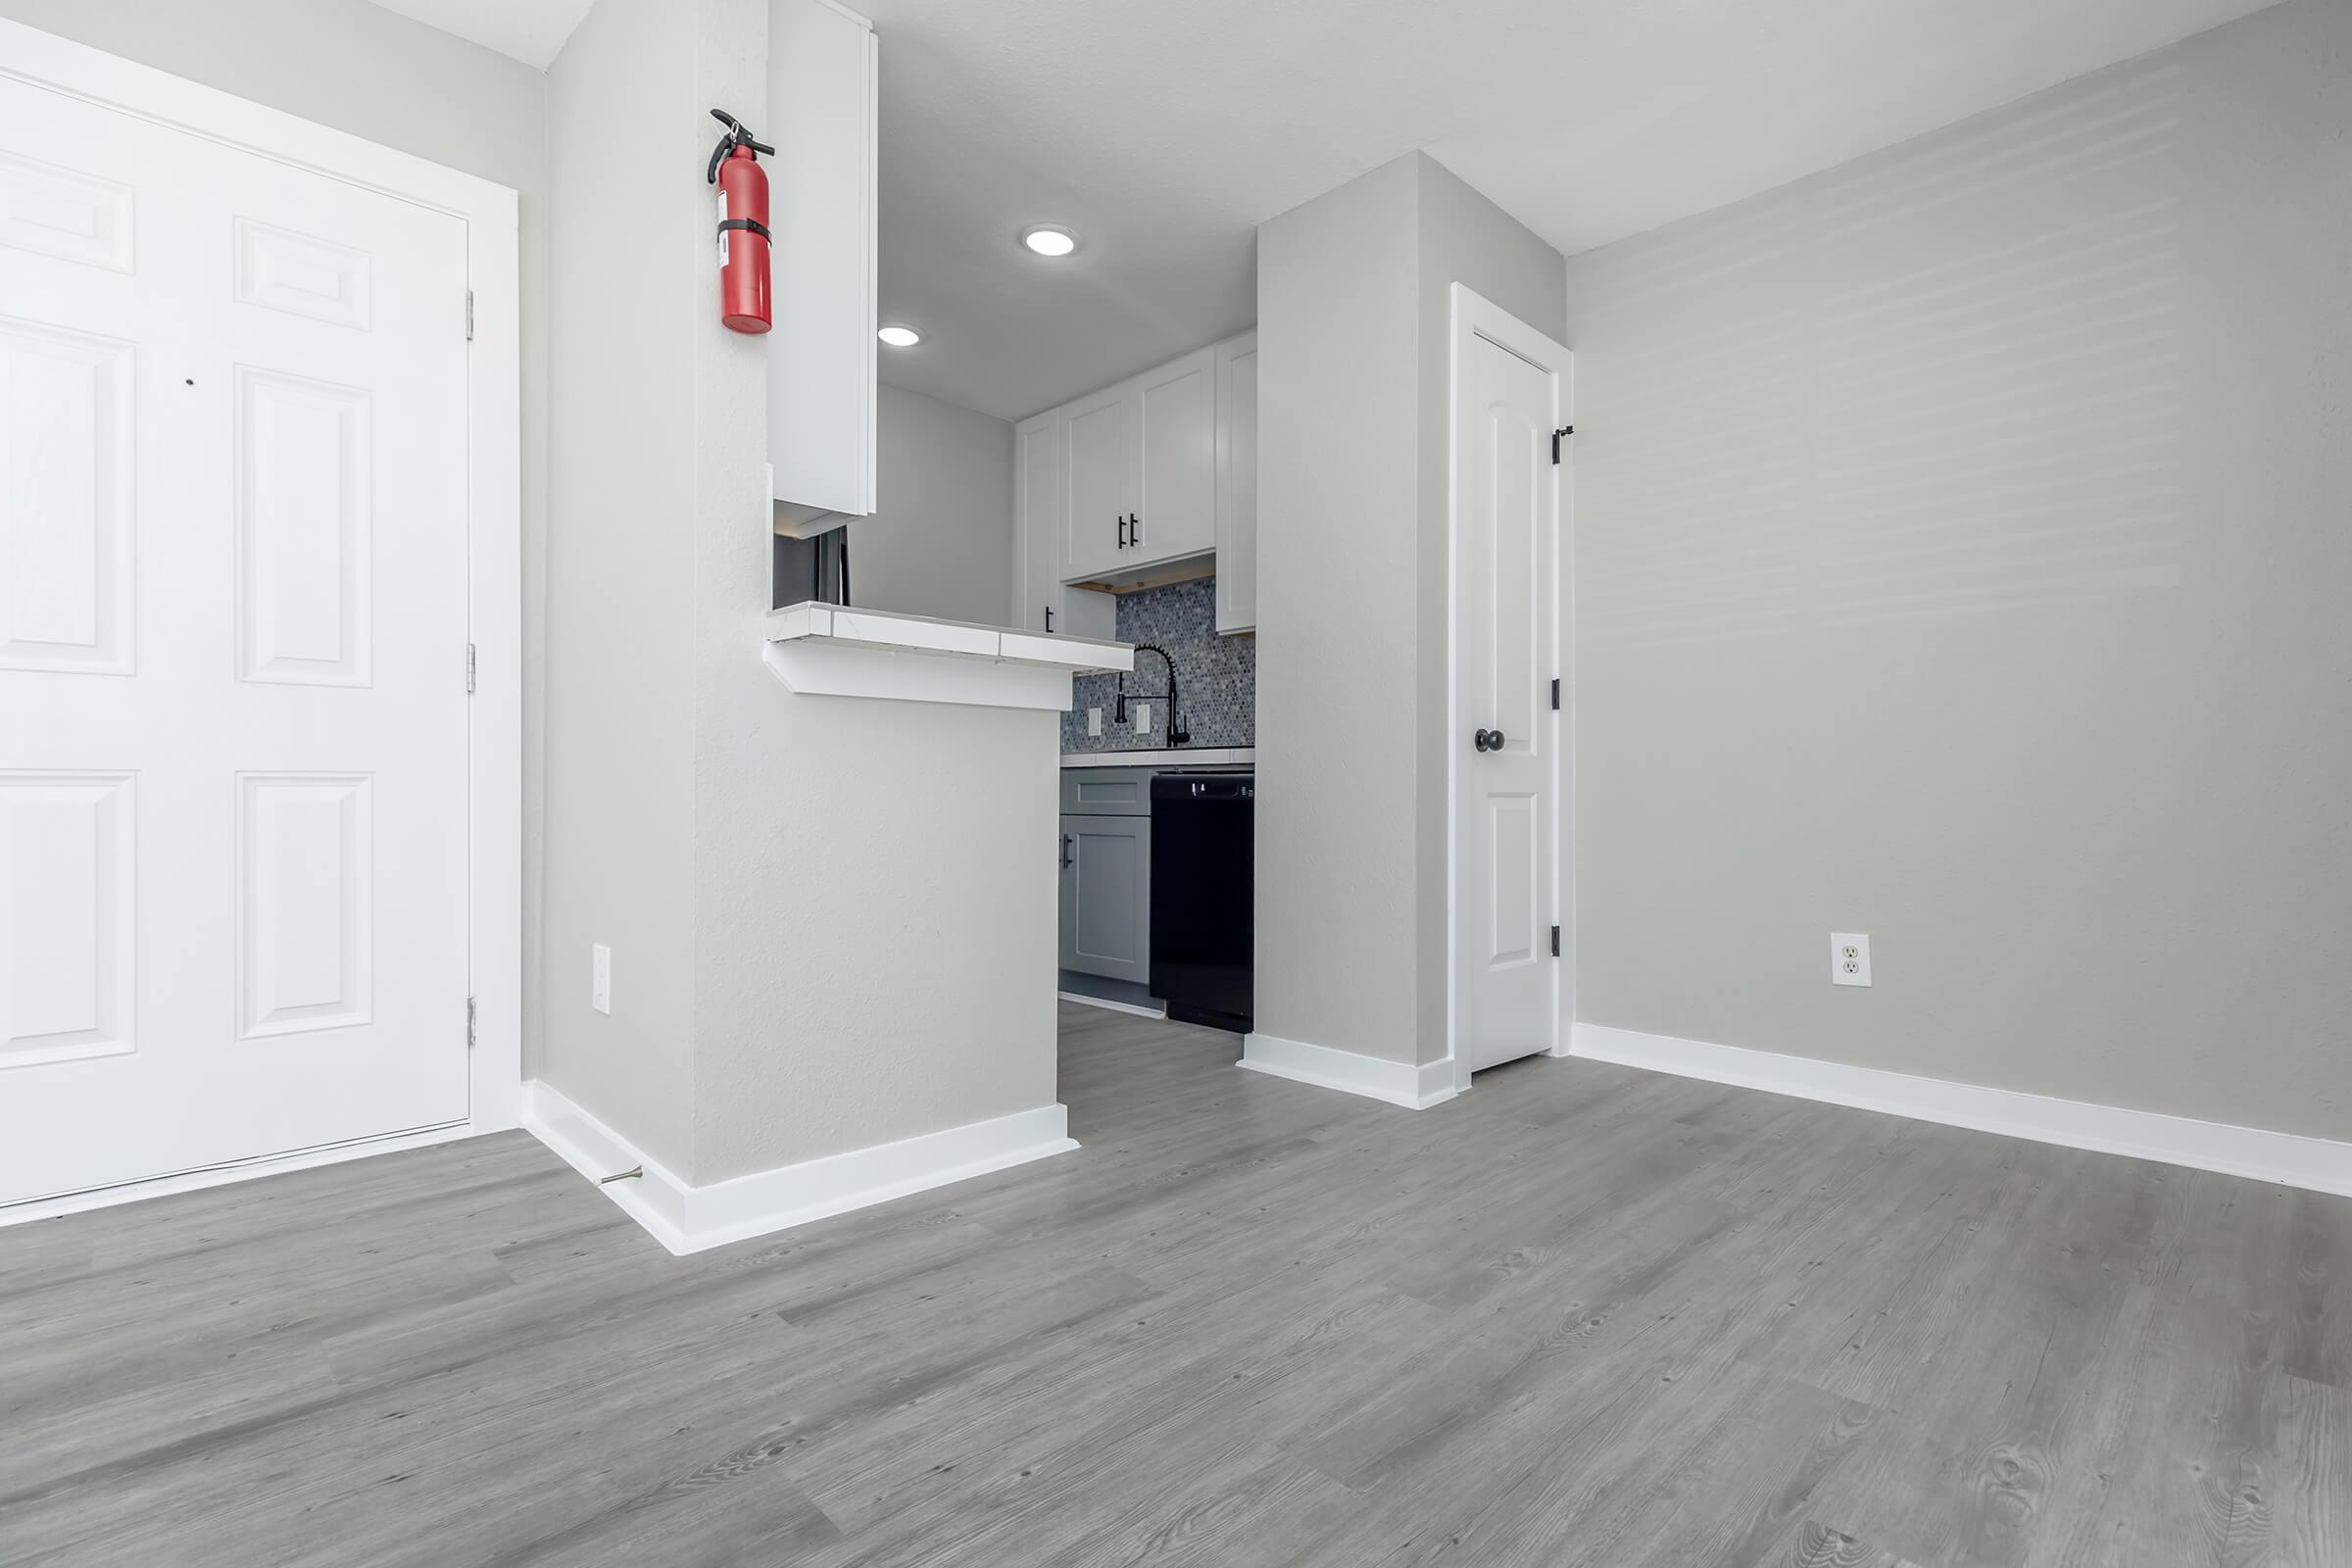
{"points": [[1481, 319]]}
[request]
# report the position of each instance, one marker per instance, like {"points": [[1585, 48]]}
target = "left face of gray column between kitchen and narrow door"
{"points": [[1337, 603]]}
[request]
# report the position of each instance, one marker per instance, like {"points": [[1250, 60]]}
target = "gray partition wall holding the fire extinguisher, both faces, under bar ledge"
{"points": [[831, 918]]}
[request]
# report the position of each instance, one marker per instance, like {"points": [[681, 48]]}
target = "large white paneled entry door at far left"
{"points": [[234, 551]]}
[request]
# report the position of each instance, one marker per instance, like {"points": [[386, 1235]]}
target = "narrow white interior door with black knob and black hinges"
{"points": [[1506, 655]]}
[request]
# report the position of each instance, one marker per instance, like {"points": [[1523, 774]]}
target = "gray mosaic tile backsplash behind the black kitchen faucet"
{"points": [[1217, 678]]}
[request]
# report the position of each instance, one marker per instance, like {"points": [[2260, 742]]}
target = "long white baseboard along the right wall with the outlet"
{"points": [[2290, 1160]]}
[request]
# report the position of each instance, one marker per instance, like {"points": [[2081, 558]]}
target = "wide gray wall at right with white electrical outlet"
{"points": [[1963, 558]]}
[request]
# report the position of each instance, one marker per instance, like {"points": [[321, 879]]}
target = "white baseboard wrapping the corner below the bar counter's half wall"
{"points": [[690, 1219]]}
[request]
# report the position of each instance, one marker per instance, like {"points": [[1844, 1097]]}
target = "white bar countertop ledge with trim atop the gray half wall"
{"points": [[831, 650]]}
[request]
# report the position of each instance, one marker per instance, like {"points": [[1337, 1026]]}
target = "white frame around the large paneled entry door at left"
{"points": [[495, 551]]}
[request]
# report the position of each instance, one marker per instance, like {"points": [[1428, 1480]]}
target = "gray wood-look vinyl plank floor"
{"points": [[1577, 1318]]}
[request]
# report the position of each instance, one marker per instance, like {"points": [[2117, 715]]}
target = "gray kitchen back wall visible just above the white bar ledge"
{"points": [[942, 535]]}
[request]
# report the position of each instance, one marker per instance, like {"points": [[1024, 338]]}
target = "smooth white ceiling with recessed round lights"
{"points": [[1168, 130]]}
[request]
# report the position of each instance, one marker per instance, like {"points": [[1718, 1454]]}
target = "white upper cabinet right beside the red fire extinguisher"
{"points": [[822, 351]]}
